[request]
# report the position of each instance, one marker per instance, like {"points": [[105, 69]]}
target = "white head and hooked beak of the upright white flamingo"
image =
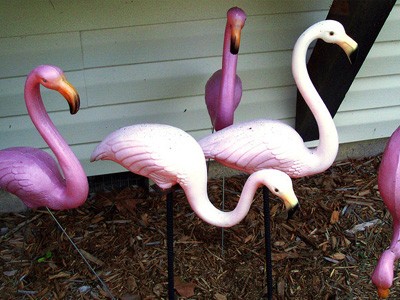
{"points": [[333, 32]]}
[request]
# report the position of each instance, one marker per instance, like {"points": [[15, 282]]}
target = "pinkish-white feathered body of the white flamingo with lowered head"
{"points": [[165, 154]]}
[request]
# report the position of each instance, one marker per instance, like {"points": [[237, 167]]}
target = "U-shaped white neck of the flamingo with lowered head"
{"points": [[198, 199]]}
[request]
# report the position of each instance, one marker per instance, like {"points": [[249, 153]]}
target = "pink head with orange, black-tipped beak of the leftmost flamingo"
{"points": [[53, 78]]}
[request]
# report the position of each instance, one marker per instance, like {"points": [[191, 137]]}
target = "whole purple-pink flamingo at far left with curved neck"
{"points": [[32, 174]]}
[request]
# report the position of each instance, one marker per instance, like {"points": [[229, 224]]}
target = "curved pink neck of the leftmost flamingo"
{"points": [[75, 190]]}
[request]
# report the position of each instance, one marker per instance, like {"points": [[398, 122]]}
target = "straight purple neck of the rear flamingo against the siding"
{"points": [[225, 108]]}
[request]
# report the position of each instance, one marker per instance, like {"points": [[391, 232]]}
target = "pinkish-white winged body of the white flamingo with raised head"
{"points": [[256, 145]]}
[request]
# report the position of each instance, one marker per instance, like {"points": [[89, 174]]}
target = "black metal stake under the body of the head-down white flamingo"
{"points": [[170, 244]]}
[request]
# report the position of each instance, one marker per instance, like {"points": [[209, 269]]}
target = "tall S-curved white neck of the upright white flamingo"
{"points": [[325, 153]]}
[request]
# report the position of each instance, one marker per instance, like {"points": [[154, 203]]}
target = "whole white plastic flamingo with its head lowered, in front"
{"points": [[170, 156]]}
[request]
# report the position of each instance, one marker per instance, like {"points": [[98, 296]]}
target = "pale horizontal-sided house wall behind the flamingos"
{"points": [[148, 61]]}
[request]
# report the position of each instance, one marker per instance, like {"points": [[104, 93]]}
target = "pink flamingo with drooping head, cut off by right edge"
{"points": [[389, 188]]}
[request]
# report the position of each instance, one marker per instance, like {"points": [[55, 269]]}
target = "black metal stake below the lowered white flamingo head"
{"points": [[268, 255]]}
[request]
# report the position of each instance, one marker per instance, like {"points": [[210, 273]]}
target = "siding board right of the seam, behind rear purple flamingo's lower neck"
{"points": [[136, 83]]}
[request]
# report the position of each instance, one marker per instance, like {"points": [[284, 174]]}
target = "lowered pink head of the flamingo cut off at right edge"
{"points": [[382, 276]]}
